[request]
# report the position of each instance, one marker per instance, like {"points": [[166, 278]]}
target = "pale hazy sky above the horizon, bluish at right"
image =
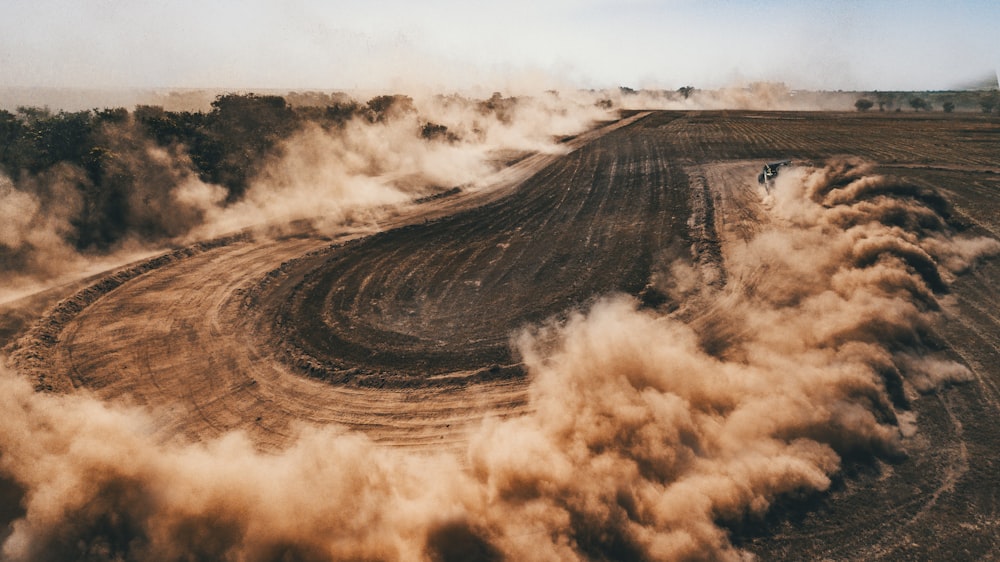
{"points": [[454, 44]]}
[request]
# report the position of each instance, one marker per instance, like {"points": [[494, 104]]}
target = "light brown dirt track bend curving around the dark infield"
{"points": [[178, 333]]}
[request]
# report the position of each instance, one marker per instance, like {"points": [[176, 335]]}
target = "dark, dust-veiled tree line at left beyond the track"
{"points": [[99, 160]]}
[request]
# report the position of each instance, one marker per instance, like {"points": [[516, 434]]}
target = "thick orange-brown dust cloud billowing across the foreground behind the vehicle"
{"points": [[651, 436]]}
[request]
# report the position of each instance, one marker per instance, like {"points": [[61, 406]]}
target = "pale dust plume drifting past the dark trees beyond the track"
{"points": [[139, 197]]}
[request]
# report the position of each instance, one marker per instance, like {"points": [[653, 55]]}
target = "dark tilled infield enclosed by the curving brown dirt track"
{"points": [[444, 297]]}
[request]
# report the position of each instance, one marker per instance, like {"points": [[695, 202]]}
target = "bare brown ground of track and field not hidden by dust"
{"points": [[405, 332]]}
